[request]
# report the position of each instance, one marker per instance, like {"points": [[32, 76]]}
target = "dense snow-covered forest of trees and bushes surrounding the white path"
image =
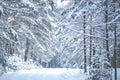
{"points": [[81, 34]]}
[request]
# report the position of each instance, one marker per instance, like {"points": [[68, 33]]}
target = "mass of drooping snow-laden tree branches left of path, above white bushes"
{"points": [[26, 30]]}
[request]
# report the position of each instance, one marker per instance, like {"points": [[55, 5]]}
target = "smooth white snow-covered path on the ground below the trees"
{"points": [[45, 74]]}
